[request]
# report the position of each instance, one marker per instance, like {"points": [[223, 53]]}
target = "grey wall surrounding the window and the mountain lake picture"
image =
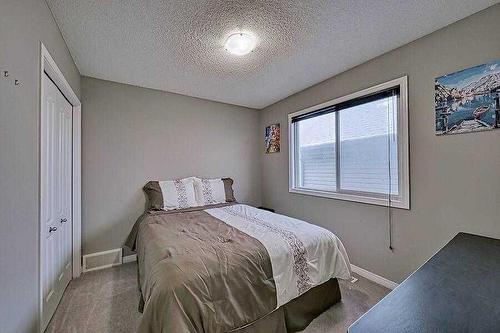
{"points": [[455, 183]]}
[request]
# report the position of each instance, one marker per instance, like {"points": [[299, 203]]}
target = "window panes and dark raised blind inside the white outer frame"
{"points": [[350, 147]]}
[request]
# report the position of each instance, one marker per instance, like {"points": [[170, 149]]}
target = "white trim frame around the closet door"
{"points": [[49, 66]]}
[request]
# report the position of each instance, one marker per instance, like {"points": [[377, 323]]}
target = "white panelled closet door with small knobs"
{"points": [[55, 203]]}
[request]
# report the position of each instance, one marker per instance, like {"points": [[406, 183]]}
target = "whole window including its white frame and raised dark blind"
{"points": [[354, 148]]}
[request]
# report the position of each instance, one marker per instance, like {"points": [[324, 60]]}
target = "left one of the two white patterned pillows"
{"points": [[178, 194]]}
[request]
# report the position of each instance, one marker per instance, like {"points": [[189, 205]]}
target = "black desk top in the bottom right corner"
{"points": [[457, 290]]}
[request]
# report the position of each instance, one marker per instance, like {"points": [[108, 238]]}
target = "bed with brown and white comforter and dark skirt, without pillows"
{"points": [[234, 268]]}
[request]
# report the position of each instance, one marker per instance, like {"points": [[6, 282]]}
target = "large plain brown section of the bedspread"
{"points": [[198, 274]]}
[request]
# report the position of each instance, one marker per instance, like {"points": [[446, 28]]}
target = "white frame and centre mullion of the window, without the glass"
{"points": [[402, 200]]}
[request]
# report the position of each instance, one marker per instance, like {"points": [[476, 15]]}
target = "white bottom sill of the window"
{"points": [[352, 197]]}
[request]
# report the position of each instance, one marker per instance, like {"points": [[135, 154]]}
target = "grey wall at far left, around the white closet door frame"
{"points": [[23, 24]]}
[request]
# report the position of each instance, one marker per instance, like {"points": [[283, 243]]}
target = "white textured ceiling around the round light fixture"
{"points": [[178, 46]]}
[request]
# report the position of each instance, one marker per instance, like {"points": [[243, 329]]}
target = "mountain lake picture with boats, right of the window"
{"points": [[468, 101]]}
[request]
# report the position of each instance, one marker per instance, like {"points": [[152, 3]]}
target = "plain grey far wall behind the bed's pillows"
{"points": [[132, 135]]}
